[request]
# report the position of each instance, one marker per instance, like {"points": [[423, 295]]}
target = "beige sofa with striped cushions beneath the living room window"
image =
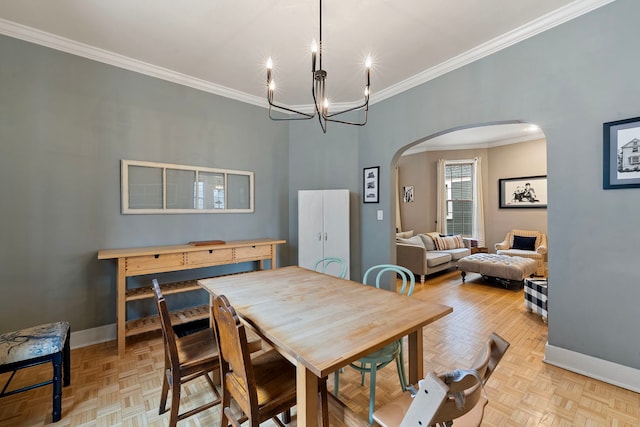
{"points": [[420, 254]]}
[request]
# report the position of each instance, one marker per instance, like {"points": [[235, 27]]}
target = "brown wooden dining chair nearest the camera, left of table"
{"points": [[263, 386]]}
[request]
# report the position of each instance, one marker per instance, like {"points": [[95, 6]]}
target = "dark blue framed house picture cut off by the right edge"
{"points": [[621, 154]]}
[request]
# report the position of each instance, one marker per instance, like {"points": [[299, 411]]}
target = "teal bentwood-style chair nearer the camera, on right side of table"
{"points": [[391, 352]]}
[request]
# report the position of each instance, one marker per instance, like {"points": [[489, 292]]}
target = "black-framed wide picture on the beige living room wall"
{"points": [[524, 192]]}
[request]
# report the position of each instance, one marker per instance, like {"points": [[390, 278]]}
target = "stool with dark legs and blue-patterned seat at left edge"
{"points": [[34, 346]]}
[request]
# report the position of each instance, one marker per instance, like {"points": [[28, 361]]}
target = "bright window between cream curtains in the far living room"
{"points": [[459, 183]]}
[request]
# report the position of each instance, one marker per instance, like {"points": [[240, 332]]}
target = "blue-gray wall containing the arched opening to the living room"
{"points": [[569, 80]]}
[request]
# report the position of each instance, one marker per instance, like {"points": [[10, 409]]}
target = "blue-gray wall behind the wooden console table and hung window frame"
{"points": [[65, 124]]}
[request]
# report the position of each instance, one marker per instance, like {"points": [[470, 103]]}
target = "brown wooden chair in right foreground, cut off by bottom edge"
{"points": [[466, 398]]}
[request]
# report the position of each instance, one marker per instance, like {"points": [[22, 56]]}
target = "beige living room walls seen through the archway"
{"points": [[505, 161]]}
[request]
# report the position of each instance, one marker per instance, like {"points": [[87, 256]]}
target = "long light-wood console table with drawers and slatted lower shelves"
{"points": [[162, 259]]}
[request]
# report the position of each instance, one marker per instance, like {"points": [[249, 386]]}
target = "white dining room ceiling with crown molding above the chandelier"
{"points": [[221, 46]]}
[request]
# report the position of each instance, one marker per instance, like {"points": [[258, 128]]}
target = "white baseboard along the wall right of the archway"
{"points": [[603, 370]]}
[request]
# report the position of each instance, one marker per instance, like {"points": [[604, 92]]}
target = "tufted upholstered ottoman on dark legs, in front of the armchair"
{"points": [[507, 270]]}
